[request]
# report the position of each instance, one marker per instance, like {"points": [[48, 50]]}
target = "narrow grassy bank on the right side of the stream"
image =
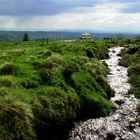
{"points": [[131, 59]]}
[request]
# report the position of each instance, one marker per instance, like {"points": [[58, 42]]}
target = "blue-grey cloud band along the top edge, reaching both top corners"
{"points": [[52, 7]]}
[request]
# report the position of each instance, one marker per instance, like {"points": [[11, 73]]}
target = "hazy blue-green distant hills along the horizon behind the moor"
{"points": [[10, 36]]}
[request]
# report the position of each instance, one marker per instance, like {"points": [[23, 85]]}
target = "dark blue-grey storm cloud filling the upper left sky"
{"points": [[41, 7]]}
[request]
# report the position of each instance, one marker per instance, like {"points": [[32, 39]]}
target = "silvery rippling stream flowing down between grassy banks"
{"points": [[121, 124]]}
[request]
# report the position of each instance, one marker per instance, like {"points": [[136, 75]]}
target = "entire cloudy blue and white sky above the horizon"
{"points": [[92, 15]]}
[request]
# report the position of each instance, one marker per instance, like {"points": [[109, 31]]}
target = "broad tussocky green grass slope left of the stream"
{"points": [[45, 86]]}
